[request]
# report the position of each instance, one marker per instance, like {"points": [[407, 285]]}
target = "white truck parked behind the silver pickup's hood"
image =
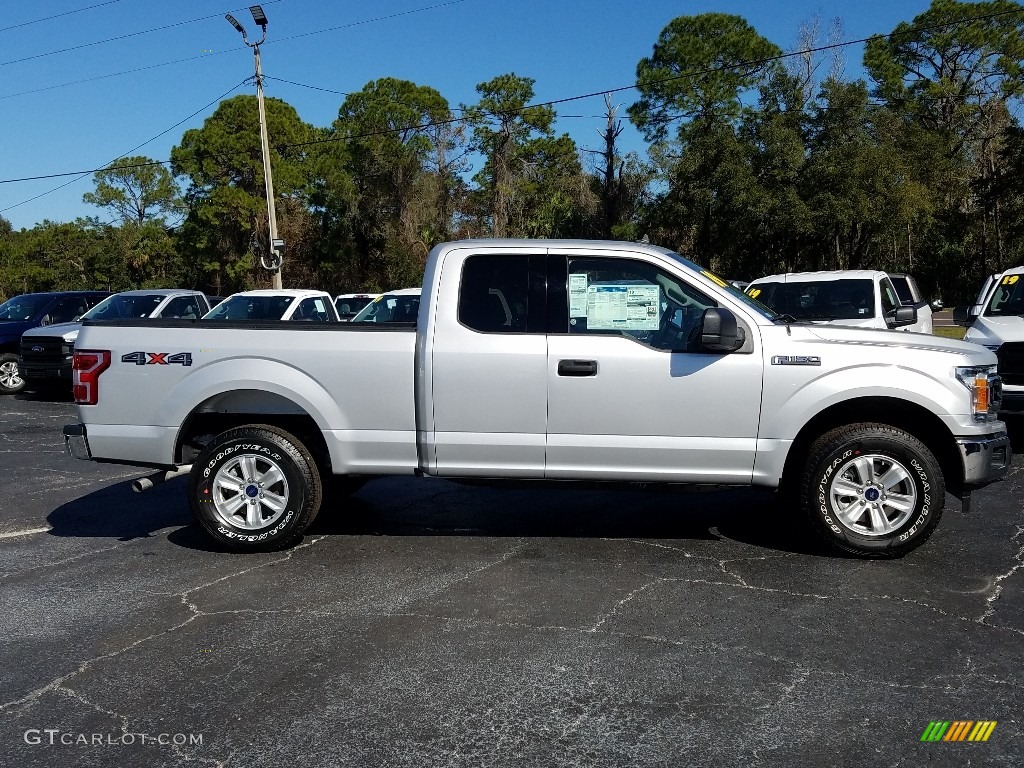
{"points": [[862, 298]]}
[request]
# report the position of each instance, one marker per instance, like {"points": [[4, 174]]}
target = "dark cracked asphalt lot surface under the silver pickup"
{"points": [[430, 624]]}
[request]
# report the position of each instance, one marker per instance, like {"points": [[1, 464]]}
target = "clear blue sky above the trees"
{"points": [[83, 82]]}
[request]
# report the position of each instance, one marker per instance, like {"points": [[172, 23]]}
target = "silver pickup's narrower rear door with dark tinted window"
{"points": [[488, 378]]}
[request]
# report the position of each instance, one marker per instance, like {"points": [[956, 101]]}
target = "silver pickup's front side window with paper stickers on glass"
{"points": [[621, 297]]}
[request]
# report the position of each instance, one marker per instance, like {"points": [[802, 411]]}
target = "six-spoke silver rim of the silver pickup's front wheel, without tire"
{"points": [[873, 495]]}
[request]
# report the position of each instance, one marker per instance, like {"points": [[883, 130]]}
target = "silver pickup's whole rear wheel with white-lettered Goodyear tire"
{"points": [[255, 489]]}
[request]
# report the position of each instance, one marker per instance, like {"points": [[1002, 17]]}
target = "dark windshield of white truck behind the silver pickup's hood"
{"points": [[822, 301]]}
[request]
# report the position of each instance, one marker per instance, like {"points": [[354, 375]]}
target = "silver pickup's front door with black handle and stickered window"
{"points": [[631, 397]]}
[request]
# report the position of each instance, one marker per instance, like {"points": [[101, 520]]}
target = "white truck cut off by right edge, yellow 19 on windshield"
{"points": [[997, 322]]}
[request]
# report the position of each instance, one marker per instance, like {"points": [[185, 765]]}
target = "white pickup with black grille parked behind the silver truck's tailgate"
{"points": [[48, 352]]}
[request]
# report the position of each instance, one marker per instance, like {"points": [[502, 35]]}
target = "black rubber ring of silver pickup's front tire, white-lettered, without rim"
{"points": [[924, 473]]}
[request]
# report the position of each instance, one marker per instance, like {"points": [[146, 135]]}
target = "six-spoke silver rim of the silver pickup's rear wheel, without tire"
{"points": [[250, 492]]}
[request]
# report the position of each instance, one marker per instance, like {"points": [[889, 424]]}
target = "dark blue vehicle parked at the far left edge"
{"points": [[30, 311]]}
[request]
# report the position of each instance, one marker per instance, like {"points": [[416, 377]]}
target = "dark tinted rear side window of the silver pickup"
{"points": [[493, 294]]}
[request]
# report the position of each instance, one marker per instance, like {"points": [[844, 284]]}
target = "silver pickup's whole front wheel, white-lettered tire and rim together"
{"points": [[873, 490]]}
